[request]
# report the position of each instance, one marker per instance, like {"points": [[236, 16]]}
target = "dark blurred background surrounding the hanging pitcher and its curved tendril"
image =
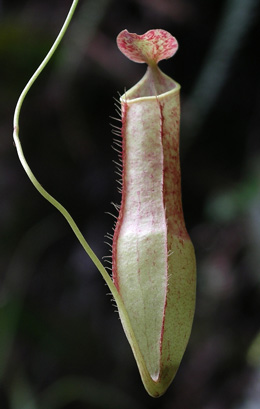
{"points": [[61, 343]]}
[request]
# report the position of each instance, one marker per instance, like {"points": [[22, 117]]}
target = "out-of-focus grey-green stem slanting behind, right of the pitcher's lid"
{"points": [[233, 27]]}
